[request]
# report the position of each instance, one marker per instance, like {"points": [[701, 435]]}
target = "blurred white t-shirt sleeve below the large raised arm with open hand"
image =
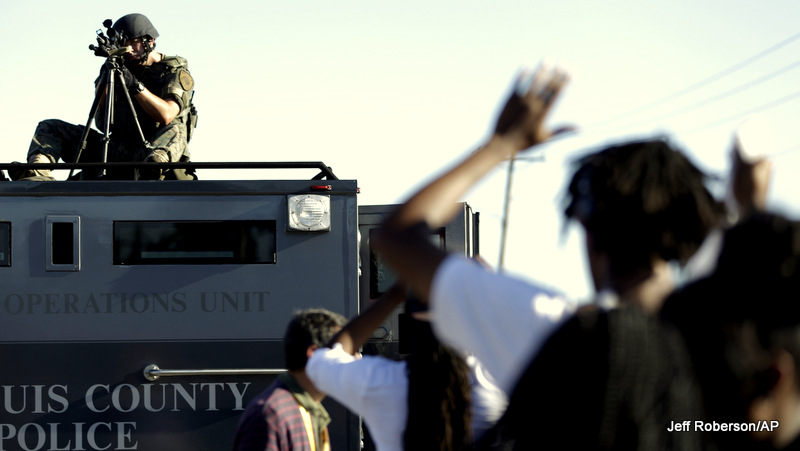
{"points": [[501, 320]]}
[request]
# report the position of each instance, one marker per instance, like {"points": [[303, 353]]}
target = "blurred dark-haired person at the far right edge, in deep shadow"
{"points": [[742, 325]]}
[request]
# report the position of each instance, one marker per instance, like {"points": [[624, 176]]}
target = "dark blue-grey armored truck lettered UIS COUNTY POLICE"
{"points": [[145, 315]]}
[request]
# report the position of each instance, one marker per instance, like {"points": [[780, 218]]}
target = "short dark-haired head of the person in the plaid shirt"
{"points": [[308, 330]]}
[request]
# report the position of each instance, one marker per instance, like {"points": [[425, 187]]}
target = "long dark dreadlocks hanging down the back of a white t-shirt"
{"points": [[439, 413]]}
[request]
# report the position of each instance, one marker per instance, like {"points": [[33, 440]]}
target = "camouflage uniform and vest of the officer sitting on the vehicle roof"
{"points": [[168, 79]]}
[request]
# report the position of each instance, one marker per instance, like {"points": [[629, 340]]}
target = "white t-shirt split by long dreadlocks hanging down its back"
{"points": [[377, 389]]}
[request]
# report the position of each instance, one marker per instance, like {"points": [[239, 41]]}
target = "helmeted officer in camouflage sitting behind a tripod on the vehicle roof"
{"points": [[160, 89]]}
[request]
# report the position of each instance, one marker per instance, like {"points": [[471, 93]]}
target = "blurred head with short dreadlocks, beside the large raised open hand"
{"points": [[639, 202]]}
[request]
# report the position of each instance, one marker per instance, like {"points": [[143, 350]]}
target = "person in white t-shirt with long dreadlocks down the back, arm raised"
{"points": [[435, 398]]}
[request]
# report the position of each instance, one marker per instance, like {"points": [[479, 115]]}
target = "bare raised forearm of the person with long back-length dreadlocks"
{"points": [[358, 330]]}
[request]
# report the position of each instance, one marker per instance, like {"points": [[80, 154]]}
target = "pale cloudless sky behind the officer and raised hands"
{"points": [[391, 93]]}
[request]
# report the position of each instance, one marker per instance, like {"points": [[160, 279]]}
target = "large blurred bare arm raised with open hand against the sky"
{"points": [[401, 241]]}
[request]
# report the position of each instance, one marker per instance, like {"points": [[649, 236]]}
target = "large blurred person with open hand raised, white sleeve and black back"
{"points": [[642, 204]]}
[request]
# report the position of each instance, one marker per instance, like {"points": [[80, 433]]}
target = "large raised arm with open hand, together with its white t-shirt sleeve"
{"points": [[502, 338]]}
